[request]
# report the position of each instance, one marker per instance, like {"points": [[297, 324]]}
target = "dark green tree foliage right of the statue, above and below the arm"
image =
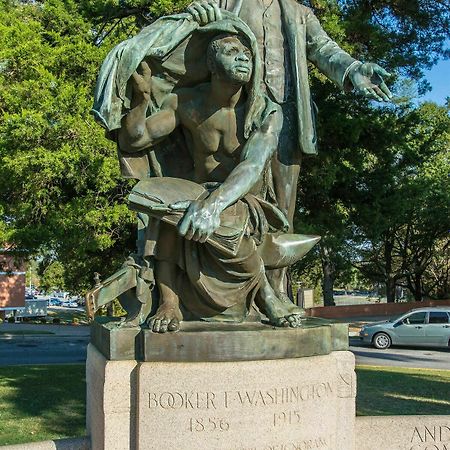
{"points": [[368, 186]]}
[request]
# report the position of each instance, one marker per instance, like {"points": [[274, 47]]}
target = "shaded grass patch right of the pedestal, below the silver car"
{"points": [[402, 392]]}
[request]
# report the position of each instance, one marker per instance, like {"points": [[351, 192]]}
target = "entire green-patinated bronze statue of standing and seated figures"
{"points": [[203, 113]]}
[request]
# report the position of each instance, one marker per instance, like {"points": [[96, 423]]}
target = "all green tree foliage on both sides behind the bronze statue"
{"points": [[377, 193]]}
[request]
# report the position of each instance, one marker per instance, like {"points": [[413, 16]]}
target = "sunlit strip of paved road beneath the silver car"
{"points": [[430, 358]]}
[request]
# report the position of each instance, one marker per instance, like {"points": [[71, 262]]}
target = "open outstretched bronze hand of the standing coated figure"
{"points": [[367, 80]]}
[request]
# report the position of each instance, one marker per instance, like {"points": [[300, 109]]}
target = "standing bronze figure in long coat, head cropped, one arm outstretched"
{"points": [[288, 36]]}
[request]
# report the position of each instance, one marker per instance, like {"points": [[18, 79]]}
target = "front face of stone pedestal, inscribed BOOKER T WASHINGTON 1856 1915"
{"points": [[301, 403]]}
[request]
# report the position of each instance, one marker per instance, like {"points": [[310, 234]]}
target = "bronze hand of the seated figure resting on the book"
{"points": [[201, 219]]}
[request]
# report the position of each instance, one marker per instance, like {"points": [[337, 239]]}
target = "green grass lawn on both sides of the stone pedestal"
{"points": [[48, 402]]}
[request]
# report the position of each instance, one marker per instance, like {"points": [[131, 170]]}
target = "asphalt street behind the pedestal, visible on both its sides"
{"points": [[62, 349]]}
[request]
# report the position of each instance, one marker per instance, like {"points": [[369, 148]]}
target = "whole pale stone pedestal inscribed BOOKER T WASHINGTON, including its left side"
{"points": [[271, 404]]}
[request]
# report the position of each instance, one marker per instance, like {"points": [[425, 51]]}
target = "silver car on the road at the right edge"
{"points": [[429, 327]]}
